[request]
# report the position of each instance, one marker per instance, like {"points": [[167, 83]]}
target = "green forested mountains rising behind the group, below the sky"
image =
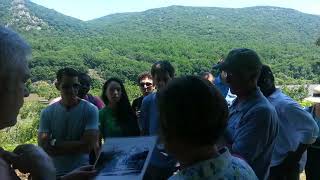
{"points": [[192, 38]]}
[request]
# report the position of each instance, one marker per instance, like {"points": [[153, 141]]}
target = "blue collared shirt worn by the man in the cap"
{"points": [[252, 129]]}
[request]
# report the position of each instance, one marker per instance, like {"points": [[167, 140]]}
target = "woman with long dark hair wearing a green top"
{"points": [[116, 118]]}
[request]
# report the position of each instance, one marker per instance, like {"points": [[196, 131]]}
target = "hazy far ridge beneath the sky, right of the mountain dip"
{"points": [[270, 24]]}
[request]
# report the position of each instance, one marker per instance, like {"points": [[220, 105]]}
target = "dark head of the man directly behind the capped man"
{"points": [[266, 81]]}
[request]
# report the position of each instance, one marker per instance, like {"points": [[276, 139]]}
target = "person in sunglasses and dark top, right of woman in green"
{"points": [[146, 87]]}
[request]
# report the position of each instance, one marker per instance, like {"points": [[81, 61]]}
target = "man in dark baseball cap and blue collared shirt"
{"points": [[253, 122]]}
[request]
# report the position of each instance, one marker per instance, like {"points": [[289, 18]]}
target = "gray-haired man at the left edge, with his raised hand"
{"points": [[14, 73]]}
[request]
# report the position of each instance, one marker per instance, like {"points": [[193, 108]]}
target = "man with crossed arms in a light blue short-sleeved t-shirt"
{"points": [[68, 128]]}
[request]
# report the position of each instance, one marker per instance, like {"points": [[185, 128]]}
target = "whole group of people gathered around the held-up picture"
{"points": [[237, 125]]}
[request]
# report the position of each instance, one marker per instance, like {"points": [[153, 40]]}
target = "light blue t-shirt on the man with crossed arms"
{"points": [[69, 125]]}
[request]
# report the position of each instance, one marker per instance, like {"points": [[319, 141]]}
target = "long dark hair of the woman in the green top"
{"points": [[124, 111]]}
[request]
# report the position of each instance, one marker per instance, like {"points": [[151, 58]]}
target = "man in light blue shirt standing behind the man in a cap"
{"points": [[297, 130]]}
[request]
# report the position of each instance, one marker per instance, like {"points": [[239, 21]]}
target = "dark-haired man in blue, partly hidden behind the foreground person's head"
{"points": [[161, 164]]}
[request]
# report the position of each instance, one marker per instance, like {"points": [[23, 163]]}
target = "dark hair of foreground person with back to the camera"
{"points": [[192, 110]]}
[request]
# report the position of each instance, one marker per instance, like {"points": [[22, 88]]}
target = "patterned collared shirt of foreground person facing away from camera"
{"points": [[222, 167]]}
